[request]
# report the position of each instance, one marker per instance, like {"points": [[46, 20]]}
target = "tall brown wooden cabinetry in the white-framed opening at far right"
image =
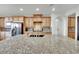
{"points": [[71, 27]]}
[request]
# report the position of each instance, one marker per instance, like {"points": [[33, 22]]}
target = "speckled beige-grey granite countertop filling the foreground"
{"points": [[38, 45]]}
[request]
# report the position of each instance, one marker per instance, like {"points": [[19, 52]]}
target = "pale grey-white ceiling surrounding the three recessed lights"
{"points": [[29, 9]]}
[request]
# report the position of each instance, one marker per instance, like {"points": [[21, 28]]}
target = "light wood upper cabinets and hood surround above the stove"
{"points": [[45, 21]]}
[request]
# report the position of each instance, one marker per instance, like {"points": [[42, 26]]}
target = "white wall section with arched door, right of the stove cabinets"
{"points": [[59, 23]]}
